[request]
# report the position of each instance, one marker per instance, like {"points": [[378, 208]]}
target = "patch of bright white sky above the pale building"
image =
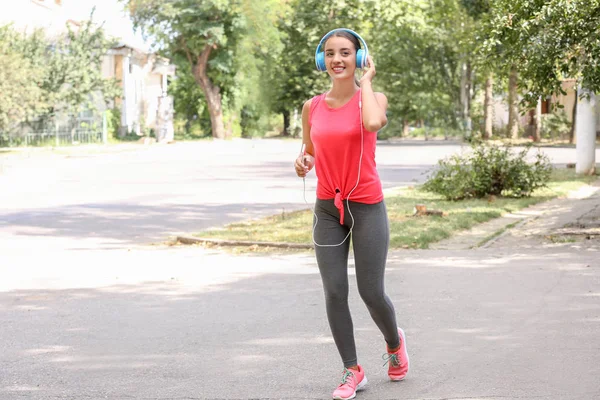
{"points": [[116, 20]]}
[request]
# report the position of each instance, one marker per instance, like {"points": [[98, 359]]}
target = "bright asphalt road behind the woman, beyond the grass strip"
{"points": [[146, 194]]}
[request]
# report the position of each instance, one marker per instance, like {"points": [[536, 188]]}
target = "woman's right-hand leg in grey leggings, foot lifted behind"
{"points": [[370, 240]]}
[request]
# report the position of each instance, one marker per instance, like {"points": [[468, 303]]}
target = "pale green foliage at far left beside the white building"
{"points": [[44, 77]]}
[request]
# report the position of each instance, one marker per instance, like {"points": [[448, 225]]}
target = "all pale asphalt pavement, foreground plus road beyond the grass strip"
{"points": [[88, 309]]}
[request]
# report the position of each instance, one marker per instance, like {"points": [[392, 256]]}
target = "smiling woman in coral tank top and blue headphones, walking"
{"points": [[339, 137]]}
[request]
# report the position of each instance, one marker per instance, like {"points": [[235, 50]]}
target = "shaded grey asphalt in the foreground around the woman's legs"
{"points": [[467, 315]]}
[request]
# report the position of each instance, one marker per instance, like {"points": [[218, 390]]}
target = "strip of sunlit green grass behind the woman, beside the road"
{"points": [[406, 231]]}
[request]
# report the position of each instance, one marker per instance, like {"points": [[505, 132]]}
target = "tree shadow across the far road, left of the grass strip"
{"points": [[130, 223]]}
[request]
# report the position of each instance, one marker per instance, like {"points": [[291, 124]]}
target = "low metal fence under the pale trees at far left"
{"points": [[66, 132]]}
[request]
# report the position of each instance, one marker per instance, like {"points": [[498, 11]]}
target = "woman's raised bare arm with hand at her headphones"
{"points": [[374, 105]]}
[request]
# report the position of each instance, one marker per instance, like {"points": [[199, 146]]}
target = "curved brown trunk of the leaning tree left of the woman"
{"points": [[211, 92]]}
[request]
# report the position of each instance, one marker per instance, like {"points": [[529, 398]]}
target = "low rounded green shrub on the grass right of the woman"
{"points": [[489, 170]]}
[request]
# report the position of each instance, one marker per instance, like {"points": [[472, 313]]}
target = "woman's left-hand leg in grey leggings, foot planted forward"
{"points": [[333, 266]]}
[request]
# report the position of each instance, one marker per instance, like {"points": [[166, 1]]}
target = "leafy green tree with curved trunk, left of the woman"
{"points": [[220, 48]]}
